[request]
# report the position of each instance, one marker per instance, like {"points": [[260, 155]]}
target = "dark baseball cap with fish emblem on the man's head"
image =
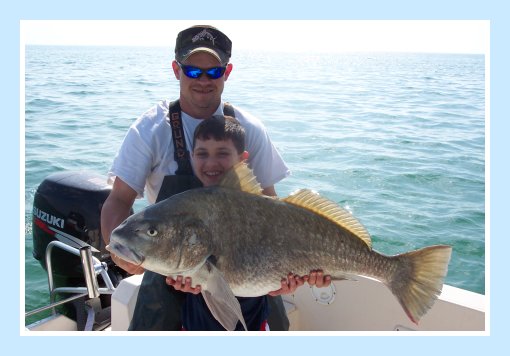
{"points": [[203, 39]]}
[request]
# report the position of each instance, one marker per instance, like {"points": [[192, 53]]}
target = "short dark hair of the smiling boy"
{"points": [[221, 128]]}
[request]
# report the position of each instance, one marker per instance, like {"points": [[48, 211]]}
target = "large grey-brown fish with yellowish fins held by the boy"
{"points": [[234, 241]]}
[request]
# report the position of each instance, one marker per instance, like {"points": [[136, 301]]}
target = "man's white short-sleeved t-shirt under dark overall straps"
{"points": [[146, 155]]}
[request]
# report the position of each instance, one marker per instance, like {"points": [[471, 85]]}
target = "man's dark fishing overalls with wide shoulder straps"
{"points": [[158, 307]]}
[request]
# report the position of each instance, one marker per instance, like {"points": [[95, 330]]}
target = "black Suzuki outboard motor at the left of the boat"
{"points": [[67, 207]]}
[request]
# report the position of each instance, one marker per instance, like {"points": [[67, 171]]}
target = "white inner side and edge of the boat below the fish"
{"points": [[362, 305]]}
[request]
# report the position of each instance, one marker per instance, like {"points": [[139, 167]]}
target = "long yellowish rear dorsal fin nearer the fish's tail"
{"points": [[312, 201]]}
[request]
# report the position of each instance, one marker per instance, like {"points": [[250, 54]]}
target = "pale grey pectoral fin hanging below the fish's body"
{"points": [[220, 299]]}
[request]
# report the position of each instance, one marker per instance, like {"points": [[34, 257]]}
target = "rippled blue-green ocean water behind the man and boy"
{"points": [[397, 139]]}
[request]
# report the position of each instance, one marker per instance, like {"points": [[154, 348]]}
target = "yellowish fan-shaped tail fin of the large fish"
{"points": [[419, 279]]}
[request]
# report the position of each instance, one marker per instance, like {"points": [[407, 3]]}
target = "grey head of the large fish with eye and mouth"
{"points": [[175, 243]]}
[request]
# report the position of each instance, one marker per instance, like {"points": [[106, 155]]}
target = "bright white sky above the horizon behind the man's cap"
{"points": [[439, 36]]}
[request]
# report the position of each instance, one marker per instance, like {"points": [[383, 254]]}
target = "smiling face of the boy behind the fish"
{"points": [[211, 159]]}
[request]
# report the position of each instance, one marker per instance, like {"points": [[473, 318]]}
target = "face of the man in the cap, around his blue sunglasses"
{"points": [[203, 94]]}
